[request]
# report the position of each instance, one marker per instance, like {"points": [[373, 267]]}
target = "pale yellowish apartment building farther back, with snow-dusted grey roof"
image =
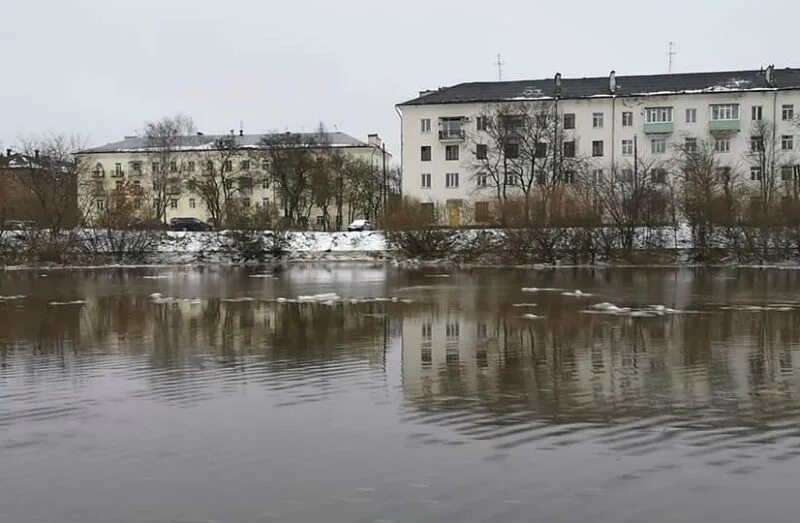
{"points": [[141, 167]]}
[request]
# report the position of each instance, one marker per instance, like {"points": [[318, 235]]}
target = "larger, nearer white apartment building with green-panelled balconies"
{"points": [[605, 118]]}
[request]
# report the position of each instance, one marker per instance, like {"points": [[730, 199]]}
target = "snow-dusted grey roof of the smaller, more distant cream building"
{"points": [[207, 141]]}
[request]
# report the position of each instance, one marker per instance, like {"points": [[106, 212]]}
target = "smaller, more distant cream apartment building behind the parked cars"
{"points": [[133, 161]]}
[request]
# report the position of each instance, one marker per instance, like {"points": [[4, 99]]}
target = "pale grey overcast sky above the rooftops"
{"points": [[103, 67]]}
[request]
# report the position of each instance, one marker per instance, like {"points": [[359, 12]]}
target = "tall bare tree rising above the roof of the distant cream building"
{"points": [[166, 141]]}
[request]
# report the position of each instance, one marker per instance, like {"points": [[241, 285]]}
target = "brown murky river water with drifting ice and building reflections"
{"points": [[220, 401]]}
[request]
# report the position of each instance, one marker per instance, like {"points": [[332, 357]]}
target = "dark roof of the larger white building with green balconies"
{"points": [[642, 85]]}
